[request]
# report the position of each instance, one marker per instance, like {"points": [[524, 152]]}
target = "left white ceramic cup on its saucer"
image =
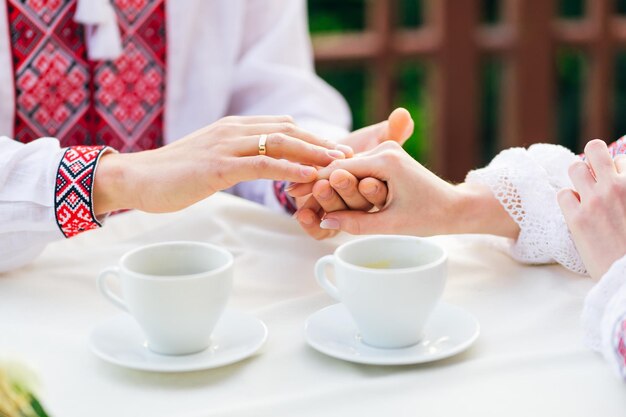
{"points": [[176, 291]]}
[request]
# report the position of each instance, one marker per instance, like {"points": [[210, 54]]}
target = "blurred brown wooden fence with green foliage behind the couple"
{"points": [[478, 75]]}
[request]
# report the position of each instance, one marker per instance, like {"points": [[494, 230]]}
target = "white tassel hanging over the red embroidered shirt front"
{"points": [[102, 30]]}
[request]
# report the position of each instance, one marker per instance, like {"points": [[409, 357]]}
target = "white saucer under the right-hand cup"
{"points": [[449, 331]]}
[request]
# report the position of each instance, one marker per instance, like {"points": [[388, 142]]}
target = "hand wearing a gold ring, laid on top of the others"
{"points": [[211, 159]]}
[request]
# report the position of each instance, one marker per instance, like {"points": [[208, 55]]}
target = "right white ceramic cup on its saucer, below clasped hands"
{"points": [[389, 284]]}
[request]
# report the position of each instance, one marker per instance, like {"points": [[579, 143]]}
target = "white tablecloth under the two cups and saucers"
{"points": [[528, 360]]}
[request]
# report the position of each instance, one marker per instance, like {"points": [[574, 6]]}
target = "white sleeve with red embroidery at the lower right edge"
{"points": [[604, 317]]}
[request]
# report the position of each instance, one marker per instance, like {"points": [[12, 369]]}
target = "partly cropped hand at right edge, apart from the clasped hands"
{"points": [[596, 211]]}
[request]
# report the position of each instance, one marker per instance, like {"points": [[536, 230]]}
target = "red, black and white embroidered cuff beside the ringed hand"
{"points": [[73, 196]]}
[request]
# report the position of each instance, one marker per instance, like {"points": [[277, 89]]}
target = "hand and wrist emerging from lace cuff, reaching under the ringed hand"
{"points": [[418, 202]]}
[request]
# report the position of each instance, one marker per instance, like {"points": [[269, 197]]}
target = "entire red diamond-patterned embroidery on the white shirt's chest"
{"points": [[60, 93]]}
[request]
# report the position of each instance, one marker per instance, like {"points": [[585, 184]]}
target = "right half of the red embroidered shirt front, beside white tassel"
{"points": [[130, 91]]}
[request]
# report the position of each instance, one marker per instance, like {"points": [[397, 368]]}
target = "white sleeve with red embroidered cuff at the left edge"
{"points": [[44, 191]]}
